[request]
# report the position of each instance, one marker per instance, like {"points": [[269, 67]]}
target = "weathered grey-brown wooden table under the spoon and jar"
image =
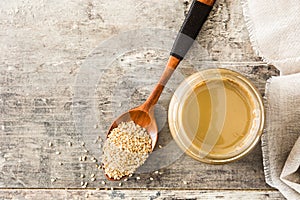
{"points": [[46, 49]]}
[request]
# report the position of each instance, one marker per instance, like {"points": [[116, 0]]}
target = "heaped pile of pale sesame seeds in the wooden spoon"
{"points": [[126, 148]]}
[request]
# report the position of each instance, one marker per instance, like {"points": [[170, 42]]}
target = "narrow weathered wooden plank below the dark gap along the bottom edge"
{"points": [[140, 194]]}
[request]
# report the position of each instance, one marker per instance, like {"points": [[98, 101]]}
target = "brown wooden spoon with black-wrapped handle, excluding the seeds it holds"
{"points": [[143, 115]]}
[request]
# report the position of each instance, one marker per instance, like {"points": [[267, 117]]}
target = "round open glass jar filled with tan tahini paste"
{"points": [[216, 116]]}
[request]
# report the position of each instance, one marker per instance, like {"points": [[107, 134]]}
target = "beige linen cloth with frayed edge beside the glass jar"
{"points": [[274, 27]]}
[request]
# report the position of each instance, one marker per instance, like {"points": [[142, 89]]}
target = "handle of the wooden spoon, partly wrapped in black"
{"points": [[189, 30]]}
